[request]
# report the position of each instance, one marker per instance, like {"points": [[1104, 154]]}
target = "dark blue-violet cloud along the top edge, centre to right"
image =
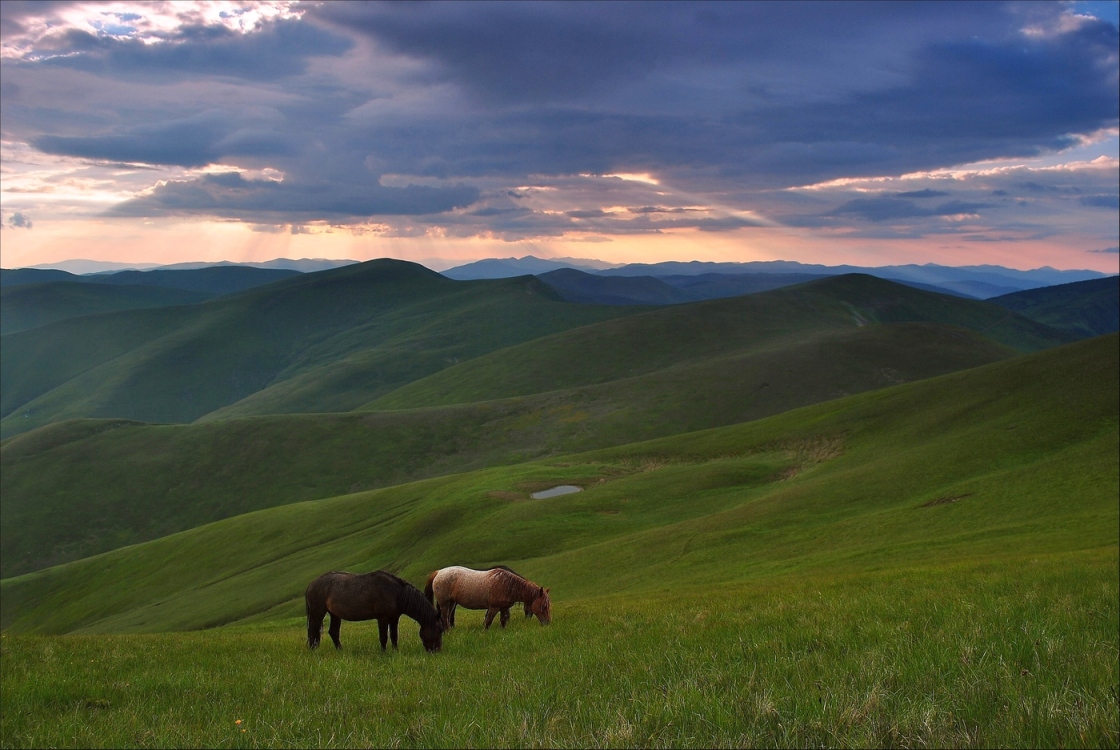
{"points": [[550, 52]]}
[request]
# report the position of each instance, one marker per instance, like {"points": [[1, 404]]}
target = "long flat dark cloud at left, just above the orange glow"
{"points": [[230, 195]]}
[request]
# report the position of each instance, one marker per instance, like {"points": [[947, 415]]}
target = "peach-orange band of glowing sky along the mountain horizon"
{"points": [[165, 242]]}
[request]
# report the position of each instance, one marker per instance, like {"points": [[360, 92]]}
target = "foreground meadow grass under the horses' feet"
{"points": [[1019, 653]]}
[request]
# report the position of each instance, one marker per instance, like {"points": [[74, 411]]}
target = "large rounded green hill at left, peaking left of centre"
{"points": [[178, 364]]}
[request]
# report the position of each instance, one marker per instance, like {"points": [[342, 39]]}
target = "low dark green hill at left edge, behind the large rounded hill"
{"points": [[31, 306]]}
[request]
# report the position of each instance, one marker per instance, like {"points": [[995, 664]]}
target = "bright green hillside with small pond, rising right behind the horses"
{"points": [[975, 466]]}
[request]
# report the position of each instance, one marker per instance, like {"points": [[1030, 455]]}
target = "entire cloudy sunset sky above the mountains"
{"points": [[869, 134]]}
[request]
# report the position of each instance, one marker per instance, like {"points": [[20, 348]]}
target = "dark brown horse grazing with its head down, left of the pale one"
{"points": [[378, 596]]}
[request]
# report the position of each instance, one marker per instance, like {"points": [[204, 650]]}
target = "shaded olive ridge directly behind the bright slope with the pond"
{"points": [[82, 487]]}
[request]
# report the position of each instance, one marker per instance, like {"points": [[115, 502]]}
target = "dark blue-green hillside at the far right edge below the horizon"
{"points": [[1082, 308]]}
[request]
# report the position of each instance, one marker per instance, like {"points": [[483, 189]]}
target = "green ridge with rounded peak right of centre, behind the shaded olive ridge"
{"points": [[689, 334]]}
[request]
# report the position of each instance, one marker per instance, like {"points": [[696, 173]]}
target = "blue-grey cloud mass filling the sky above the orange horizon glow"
{"points": [[424, 111]]}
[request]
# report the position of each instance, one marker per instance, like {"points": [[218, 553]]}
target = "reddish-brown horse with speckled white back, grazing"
{"points": [[494, 590]]}
